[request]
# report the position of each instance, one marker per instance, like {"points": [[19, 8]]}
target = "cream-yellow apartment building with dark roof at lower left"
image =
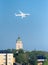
{"points": [[6, 58]]}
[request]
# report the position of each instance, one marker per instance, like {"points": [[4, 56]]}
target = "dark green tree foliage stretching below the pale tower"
{"points": [[27, 57]]}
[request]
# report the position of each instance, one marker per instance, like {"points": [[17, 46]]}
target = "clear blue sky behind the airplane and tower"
{"points": [[33, 29]]}
